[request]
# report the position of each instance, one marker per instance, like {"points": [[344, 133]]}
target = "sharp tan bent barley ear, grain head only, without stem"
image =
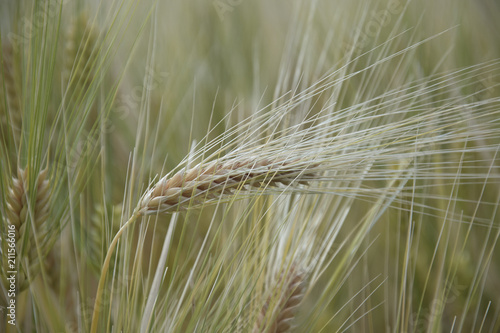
{"points": [[213, 181]]}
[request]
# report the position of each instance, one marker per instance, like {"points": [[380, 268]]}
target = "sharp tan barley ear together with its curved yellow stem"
{"points": [[210, 180]]}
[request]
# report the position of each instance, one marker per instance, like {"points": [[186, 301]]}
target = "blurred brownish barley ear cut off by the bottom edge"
{"points": [[280, 308]]}
